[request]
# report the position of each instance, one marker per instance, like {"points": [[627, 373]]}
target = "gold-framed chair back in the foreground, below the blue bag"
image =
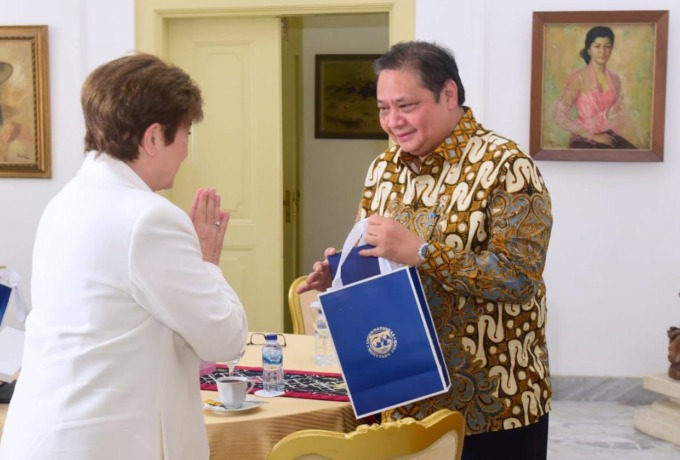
{"points": [[438, 436]]}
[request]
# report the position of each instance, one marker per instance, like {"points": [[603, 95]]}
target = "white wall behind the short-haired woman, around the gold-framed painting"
{"points": [[81, 35]]}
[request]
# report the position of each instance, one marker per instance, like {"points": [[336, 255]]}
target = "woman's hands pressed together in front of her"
{"points": [[210, 223]]}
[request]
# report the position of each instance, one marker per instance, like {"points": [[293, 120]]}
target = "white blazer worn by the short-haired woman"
{"points": [[123, 307]]}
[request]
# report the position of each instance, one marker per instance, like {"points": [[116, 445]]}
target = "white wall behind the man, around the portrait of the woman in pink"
{"points": [[612, 272]]}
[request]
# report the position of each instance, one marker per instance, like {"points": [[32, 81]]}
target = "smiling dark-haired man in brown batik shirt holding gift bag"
{"points": [[471, 210]]}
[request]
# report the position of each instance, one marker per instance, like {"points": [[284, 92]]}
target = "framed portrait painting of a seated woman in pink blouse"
{"points": [[598, 84]]}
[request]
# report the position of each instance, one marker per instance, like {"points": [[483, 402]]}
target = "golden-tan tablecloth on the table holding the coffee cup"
{"points": [[252, 434]]}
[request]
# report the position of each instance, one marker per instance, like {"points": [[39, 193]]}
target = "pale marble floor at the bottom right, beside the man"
{"points": [[595, 430]]}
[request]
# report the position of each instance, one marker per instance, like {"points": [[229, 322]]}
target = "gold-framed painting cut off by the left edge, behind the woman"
{"points": [[24, 102]]}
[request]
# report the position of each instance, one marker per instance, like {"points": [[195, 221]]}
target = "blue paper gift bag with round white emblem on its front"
{"points": [[385, 341]]}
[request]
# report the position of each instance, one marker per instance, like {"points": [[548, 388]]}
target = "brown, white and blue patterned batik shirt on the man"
{"points": [[483, 207]]}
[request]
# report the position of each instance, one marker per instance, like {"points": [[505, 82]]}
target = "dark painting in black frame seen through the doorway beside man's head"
{"points": [[345, 97]]}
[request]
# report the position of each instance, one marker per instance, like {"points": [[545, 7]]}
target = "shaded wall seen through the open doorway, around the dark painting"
{"points": [[334, 169]]}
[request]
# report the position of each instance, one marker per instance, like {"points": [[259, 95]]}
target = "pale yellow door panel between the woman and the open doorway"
{"points": [[237, 149]]}
